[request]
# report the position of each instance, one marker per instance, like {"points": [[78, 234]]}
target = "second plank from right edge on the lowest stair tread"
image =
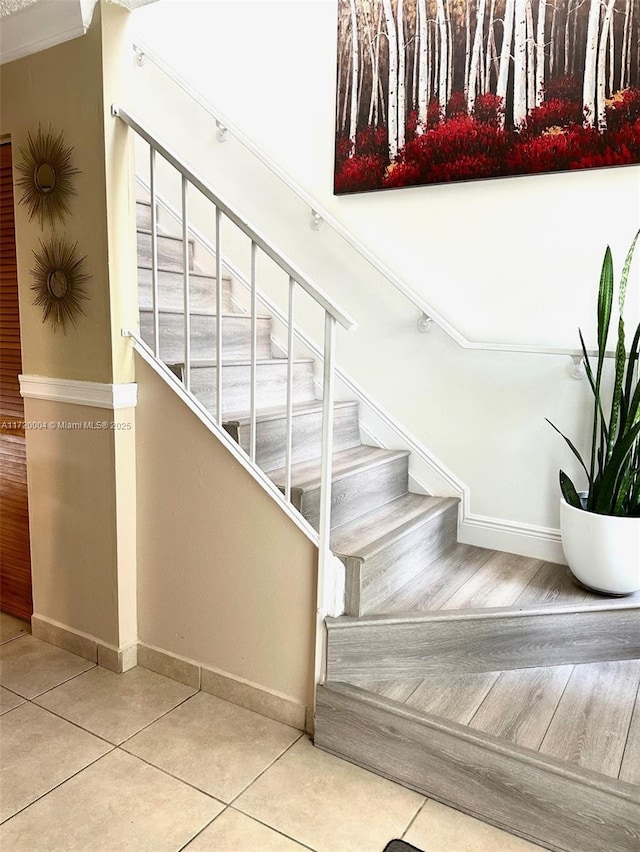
{"points": [[592, 721]]}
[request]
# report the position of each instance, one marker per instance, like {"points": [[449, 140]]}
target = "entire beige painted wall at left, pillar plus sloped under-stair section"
{"points": [[224, 578]]}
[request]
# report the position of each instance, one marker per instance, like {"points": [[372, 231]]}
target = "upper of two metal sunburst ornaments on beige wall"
{"points": [[45, 176]]}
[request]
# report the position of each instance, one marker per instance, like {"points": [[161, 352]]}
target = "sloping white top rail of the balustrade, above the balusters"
{"points": [[288, 266]]}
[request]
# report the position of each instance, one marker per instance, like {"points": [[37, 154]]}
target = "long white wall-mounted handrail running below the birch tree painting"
{"points": [[320, 213]]}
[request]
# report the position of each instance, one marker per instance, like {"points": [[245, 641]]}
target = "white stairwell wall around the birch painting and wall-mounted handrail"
{"points": [[510, 260]]}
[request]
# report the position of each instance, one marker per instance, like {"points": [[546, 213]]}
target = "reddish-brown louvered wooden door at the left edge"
{"points": [[15, 558]]}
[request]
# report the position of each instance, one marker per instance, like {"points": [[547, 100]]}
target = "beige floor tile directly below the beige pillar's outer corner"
{"points": [[115, 706]]}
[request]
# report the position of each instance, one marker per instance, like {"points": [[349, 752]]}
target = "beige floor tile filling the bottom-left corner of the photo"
{"points": [[119, 803]]}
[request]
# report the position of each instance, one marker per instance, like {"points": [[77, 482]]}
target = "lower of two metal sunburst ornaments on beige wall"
{"points": [[58, 282]]}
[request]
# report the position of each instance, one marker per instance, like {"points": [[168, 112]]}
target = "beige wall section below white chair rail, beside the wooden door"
{"points": [[73, 516]]}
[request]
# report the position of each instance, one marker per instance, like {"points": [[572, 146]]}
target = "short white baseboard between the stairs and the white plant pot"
{"points": [[523, 539]]}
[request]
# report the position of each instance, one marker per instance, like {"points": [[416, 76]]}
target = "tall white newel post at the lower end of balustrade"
{"points": [[324, 553]]}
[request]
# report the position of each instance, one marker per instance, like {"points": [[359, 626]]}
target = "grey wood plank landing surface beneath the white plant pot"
{"points": [[469, 577]]}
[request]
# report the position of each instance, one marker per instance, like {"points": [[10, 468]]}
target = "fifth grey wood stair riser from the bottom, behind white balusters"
{"points": [[307, 437]]}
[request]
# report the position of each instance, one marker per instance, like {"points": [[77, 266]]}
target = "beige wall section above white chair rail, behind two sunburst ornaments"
{"points": [[61, 88]]}
